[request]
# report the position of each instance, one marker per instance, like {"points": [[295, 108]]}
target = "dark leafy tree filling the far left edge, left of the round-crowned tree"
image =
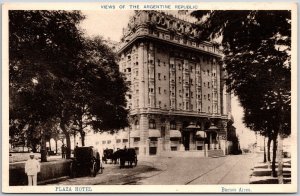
{"points": [[42, 48]]}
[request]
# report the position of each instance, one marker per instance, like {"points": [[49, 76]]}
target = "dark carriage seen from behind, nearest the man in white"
{"points": [[86, 161]]}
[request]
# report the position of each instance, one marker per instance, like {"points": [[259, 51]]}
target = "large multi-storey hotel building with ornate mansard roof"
{"points": [[178, 101]]}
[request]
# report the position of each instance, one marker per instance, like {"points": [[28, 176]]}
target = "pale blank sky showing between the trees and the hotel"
{"points": [[109, 25]]}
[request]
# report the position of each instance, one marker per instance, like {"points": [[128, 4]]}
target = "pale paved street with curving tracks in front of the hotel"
{"points": [[234, 169]]}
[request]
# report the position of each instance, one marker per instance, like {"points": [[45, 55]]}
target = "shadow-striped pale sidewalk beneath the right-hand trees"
{"points": [[262, 173]]}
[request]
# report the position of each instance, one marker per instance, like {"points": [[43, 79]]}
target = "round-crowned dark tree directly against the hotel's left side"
{"points": [[99, 90]]}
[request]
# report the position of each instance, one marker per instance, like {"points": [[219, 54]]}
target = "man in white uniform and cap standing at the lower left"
{"points": [[32, 167]]}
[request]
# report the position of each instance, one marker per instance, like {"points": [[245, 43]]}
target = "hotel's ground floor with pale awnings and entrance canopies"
{"points": [[152, 134]]}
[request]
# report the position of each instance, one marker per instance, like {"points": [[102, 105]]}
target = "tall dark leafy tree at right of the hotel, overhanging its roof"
{"points": [[256, 46]]}
